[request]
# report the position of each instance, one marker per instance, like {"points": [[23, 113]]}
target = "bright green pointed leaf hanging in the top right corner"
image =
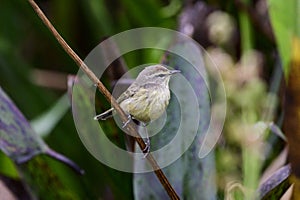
{"points": [[285, 20]]}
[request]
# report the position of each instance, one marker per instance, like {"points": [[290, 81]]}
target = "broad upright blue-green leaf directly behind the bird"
{"points": [[191, 177]]}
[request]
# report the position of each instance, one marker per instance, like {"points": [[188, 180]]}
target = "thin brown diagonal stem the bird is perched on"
{"points": [[159, 173]]}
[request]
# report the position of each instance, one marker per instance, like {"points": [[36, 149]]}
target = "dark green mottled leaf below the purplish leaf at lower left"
{"points": [[49, 179]]}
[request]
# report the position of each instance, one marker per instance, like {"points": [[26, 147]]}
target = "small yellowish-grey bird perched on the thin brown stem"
{"points": [[147, 97]]}
